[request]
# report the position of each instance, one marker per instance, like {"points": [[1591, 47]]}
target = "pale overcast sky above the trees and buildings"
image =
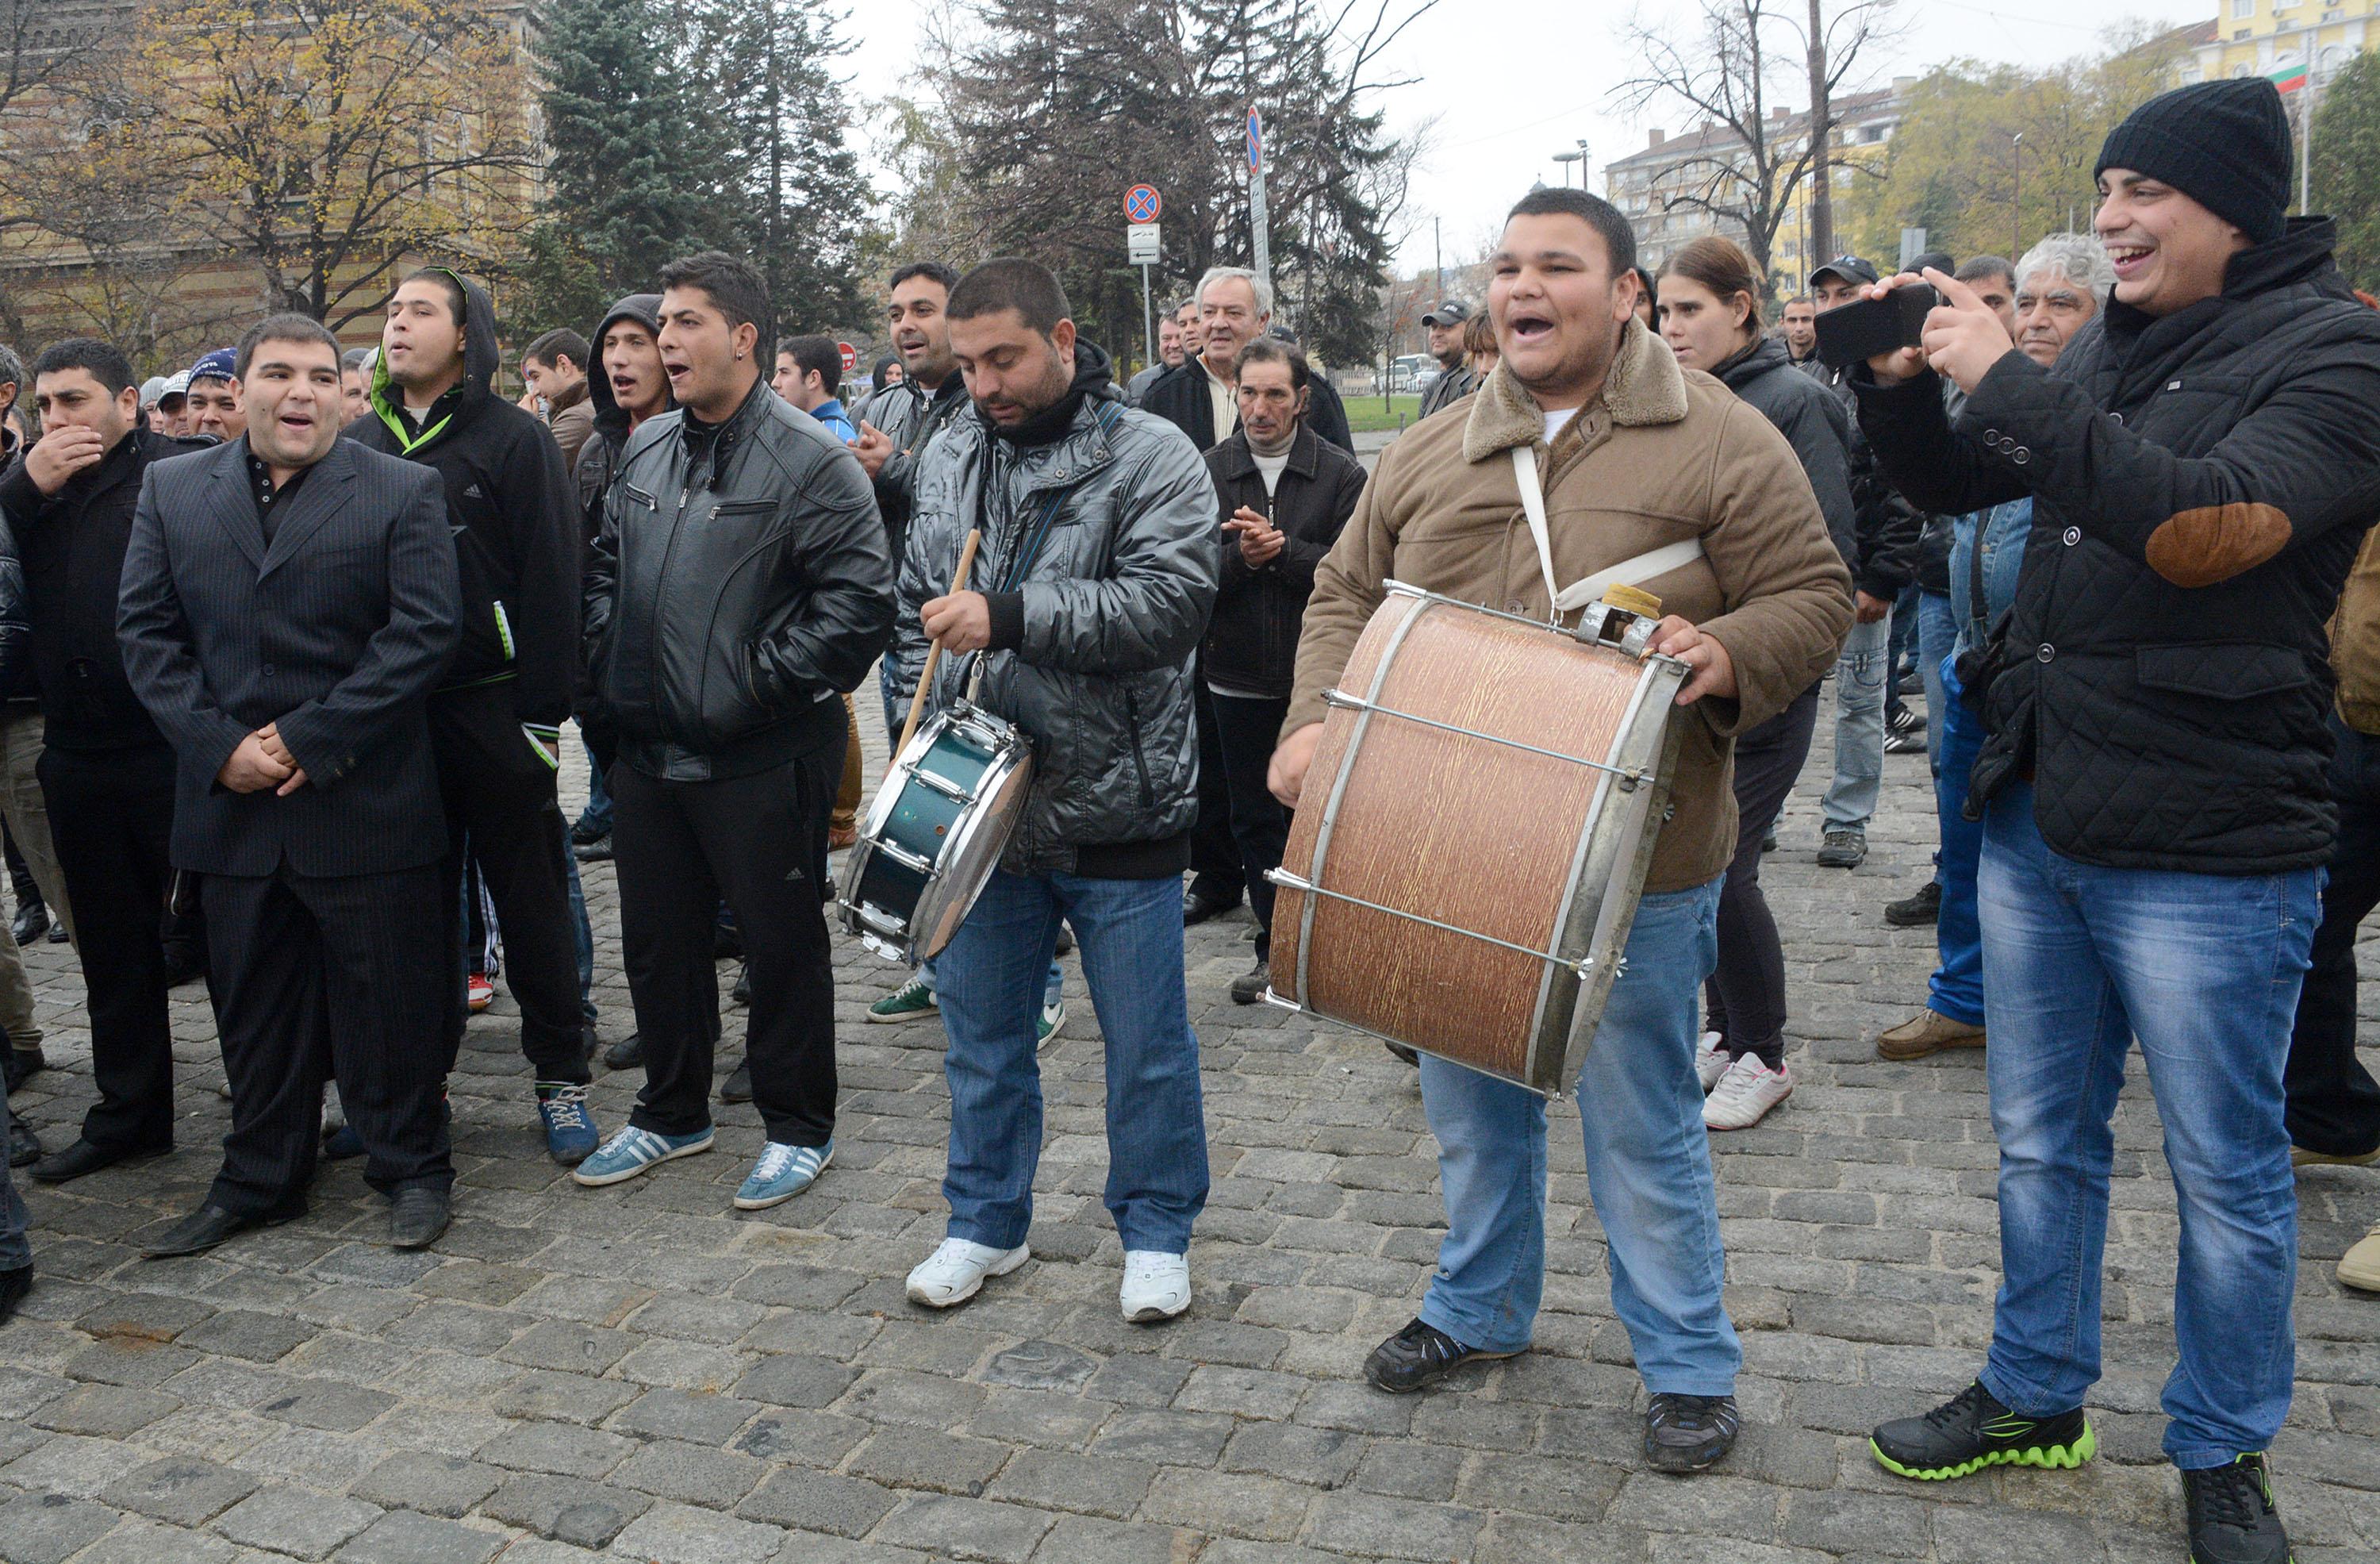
{"points": [[1496, 127]]}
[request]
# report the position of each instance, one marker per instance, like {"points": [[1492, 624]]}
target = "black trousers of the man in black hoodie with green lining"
{"points": [[501, 803]]}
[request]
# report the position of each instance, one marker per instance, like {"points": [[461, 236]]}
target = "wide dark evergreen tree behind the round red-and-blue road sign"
{"points": [[1058, 111]]}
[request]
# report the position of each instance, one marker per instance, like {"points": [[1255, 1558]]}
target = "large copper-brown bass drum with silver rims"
{"points": [[1474, 832]]}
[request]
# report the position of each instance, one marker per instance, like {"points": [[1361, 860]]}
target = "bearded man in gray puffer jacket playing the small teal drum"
{"points": [[1086, 601]]}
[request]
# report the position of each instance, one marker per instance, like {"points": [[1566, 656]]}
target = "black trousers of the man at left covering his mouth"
{"points": [[113, 822]]}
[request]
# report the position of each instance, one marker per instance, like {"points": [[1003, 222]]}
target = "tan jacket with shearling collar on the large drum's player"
{"points": [[1658, 458]]}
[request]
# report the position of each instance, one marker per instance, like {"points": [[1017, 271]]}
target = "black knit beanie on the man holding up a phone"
{"points": [[2222, 144]]}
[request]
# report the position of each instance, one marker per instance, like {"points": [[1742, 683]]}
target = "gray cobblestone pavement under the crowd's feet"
{"points": [[644, 1375]]}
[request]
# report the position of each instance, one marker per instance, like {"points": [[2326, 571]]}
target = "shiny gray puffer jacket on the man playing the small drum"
{"points": [[1113, 611]]}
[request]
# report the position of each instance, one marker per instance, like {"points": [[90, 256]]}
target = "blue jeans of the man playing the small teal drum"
{"points": [[991, 989]]}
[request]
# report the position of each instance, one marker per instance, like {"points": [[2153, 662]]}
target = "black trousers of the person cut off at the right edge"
{"points": [[2334, 1101]]}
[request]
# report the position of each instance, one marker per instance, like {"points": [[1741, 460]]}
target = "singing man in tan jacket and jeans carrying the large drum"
{"points": [[1636, 453]]}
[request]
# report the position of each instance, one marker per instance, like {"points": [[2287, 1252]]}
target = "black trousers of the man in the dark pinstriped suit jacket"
{"points": [[318, 980]]}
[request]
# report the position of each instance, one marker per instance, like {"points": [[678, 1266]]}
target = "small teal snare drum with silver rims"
{"points": [[937, 832]]}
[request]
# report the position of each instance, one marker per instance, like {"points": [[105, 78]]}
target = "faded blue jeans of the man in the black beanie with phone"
{"points": [[2205, 972]]}
